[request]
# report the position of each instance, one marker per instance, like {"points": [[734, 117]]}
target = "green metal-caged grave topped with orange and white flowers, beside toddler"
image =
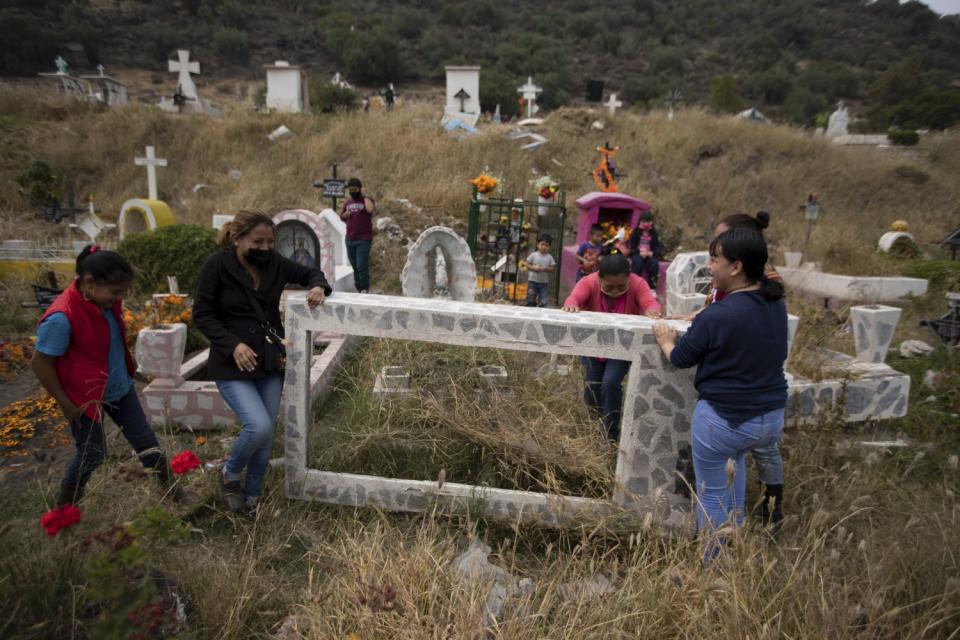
{"points": [[503, 231]]}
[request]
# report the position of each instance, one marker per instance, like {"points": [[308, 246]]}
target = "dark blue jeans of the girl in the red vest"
{"points": [[91, 442]]}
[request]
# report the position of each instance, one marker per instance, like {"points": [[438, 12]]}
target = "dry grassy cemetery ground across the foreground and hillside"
{"points": [[869, 549]]}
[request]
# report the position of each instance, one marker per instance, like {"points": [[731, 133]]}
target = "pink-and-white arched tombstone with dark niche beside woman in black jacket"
{"points": [[323, 237]]}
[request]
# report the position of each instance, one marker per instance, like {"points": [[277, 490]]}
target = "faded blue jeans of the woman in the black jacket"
{"points": [[256, 403]]}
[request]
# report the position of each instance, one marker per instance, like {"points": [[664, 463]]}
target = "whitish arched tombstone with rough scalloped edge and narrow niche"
{"points": [[461, 271]]}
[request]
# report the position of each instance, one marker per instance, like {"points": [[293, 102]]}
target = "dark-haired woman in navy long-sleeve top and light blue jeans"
{"points": [[739, 345]]}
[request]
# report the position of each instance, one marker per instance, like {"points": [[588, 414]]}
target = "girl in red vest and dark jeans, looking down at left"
{"points": [[82, 360]]}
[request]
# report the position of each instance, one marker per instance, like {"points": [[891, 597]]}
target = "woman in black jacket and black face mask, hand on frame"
{"points": [[237, 307]]}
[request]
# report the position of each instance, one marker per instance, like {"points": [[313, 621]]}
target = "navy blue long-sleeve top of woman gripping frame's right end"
{"points": [[739, 345]]}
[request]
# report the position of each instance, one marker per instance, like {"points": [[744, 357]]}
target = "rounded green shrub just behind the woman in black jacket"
{"points": [[178, 250]]}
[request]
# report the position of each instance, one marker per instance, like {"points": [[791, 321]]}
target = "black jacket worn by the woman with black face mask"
{"points": [[223, 313]]}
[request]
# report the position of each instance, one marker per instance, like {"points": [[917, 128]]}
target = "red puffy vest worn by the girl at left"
{"points": [[84, 368]]}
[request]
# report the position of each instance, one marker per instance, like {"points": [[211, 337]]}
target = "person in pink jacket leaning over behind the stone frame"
{"points": [[613, 289]]}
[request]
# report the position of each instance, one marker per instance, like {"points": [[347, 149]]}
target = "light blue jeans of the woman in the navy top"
{"points": [[714, 443]]}
